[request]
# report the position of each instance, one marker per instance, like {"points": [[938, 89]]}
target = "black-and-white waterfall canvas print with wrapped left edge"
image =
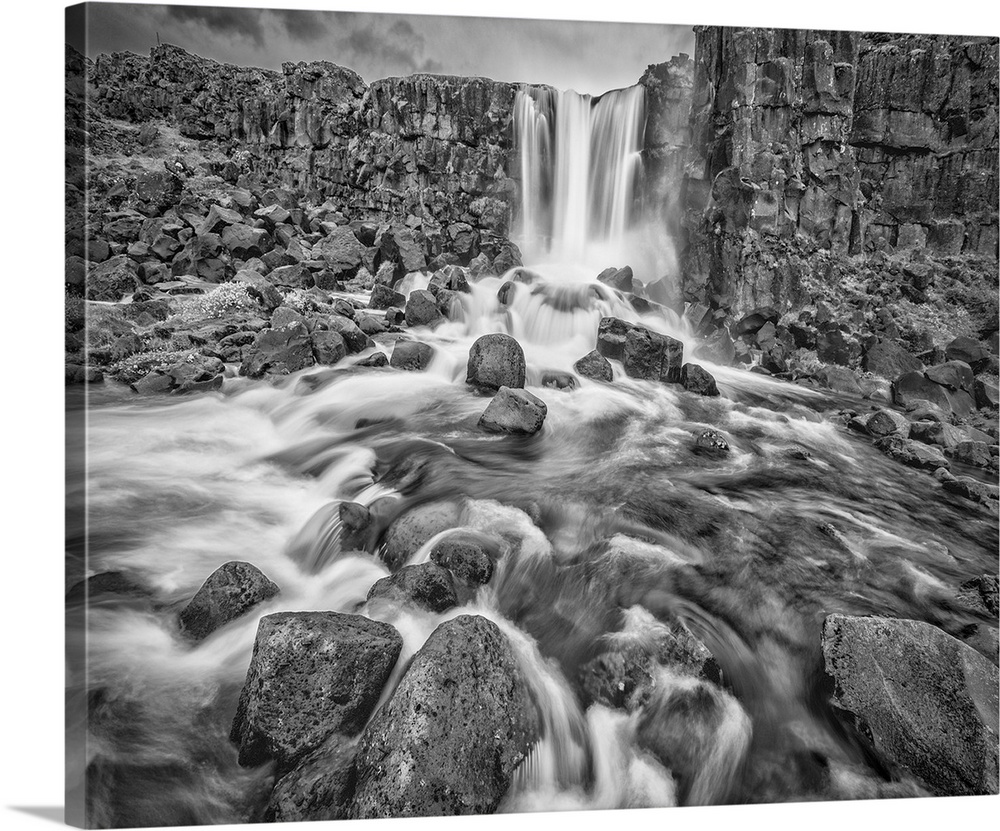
{"points": [[474, 415]]}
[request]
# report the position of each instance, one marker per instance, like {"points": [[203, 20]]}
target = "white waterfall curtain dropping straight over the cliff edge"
{"points": [[580, 163]]}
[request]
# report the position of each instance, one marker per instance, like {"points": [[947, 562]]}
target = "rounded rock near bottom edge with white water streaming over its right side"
{"points": [[700, 733]]}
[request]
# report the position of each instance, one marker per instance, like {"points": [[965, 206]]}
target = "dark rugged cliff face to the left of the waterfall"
{"points": [[432, 146]]}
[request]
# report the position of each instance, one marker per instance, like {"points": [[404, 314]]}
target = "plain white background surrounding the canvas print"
{"points": [[31, 315]]}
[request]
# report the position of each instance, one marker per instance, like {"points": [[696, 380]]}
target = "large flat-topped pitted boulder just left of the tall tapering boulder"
{"points": [[312, 675]]}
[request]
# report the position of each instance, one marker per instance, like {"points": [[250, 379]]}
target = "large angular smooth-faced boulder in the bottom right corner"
{"points": [[927, 701]]}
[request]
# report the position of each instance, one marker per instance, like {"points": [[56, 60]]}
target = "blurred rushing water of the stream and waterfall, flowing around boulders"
{"points": [[607, 508]]}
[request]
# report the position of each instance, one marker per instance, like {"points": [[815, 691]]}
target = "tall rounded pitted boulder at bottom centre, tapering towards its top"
{"points": [[456, 728]]}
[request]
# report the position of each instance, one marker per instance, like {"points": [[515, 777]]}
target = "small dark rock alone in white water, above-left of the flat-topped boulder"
{"points": [[229, 592]]}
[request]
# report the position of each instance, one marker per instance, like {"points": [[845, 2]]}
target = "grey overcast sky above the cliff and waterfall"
{"points": [[586, 56]]}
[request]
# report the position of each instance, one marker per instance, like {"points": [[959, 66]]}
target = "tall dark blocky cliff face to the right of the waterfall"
{"points": [[814, 146]]}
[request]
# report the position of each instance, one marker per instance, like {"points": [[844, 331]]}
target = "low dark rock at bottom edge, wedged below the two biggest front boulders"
{"points": [[321, 787]]}
